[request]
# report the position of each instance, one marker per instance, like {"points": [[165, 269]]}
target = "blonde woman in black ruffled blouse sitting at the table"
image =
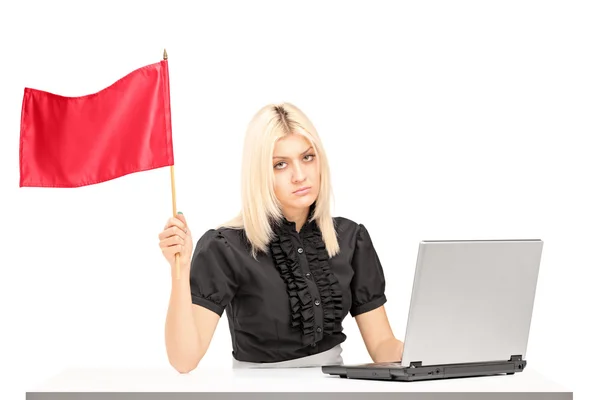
{"points": [[286, 271]]}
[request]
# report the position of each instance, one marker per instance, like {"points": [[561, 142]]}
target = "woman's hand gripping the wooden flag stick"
{"points": [[175, 238]]}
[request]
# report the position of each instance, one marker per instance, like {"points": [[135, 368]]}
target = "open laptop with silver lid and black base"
{"points": [[470, 312]]}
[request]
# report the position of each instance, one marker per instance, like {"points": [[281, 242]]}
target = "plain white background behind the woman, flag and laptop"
{"points": [[442, 120]]}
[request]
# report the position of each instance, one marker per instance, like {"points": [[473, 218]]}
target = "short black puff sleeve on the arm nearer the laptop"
{"points": [[368, 283]]}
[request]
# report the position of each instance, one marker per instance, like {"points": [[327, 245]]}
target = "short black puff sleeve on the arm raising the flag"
{"points": [[212, 277]]}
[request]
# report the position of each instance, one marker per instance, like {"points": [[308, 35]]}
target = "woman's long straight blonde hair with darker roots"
{"points": [[260, 206]]}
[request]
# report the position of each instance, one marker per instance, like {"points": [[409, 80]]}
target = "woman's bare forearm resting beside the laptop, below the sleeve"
{"points": [[378, 336]]}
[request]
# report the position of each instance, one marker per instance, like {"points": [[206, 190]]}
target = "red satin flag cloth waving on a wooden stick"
{"points": [[78, 141]]}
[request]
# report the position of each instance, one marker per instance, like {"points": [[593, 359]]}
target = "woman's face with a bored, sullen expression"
{"points": [[296, 167]]}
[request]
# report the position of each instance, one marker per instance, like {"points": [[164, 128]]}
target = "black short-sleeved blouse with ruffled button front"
{"points": [[289, 303]]}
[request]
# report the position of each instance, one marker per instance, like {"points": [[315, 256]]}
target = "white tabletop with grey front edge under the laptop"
{"points": [[301, 383]]}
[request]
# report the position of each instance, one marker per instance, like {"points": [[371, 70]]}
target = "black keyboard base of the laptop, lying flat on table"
{"points": [[418, 372]]}
